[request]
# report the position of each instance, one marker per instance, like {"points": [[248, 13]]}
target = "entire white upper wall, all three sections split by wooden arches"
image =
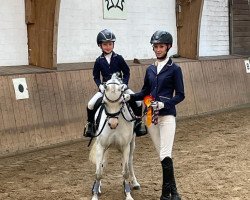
{"points": [[81, 20]]}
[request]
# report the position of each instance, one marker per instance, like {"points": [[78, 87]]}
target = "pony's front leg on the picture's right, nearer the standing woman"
{"points": [[125, 172]]}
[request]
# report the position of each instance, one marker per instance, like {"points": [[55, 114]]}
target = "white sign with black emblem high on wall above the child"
{"points": [[114, 9]]}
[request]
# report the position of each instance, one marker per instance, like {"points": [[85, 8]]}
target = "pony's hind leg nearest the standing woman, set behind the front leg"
{"points": [[135, 184]]}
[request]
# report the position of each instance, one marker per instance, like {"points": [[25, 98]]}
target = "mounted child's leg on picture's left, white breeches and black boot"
{"points": [[91, 114]]}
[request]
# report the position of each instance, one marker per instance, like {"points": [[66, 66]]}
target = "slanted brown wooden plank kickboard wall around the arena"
{"points": [[56, 109]]}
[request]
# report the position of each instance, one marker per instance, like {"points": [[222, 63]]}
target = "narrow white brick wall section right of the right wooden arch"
{"points": [[214, 30]]}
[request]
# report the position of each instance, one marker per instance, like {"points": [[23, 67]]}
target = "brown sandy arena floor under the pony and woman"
{"points": [[210, 153]]}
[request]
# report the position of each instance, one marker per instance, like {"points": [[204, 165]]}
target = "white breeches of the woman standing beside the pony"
{"points": [[163, 134]]}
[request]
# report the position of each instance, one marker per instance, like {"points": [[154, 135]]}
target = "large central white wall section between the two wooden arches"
{"points": [[81, 20]]}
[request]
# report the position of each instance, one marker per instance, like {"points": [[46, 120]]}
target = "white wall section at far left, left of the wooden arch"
{"points": [[13, 33]]}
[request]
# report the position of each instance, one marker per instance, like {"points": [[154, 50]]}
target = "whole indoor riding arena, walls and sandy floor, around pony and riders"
{"points": [[47, 52]]}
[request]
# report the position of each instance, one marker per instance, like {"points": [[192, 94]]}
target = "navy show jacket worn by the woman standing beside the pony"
{"points": [[167, 87]]}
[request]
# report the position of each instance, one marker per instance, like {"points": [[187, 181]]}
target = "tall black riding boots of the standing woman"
{"points": [[169, 185]]}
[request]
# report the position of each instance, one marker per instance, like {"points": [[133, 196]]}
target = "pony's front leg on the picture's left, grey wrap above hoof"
{"points": [[99, 171]]}
